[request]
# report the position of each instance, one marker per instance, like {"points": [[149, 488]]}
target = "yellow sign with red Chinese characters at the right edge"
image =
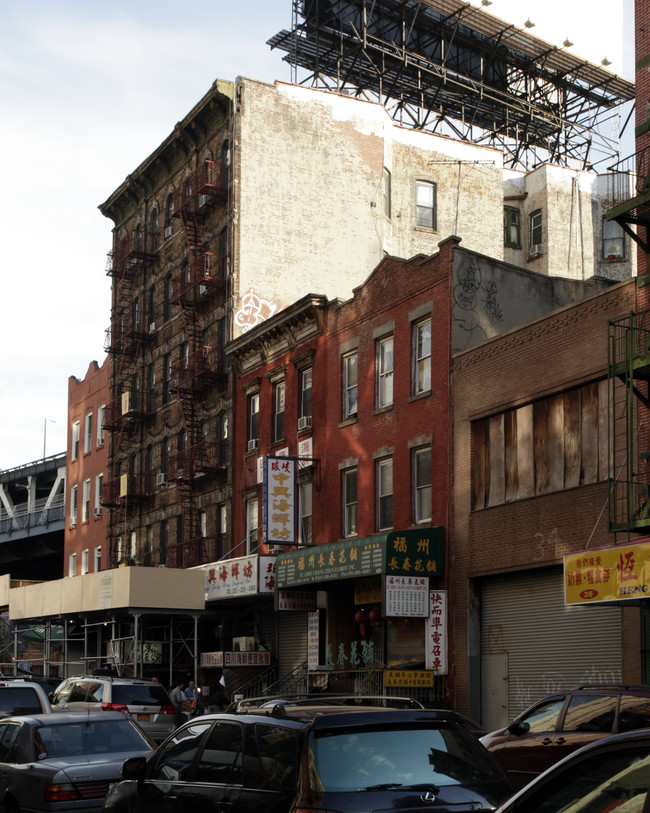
{"points": [[619, 573]]}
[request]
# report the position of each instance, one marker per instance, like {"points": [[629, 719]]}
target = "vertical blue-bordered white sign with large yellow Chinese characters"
{"points": [[279, 501]]}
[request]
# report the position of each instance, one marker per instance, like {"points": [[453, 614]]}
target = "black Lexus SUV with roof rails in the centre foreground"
{"points": [[321, 757]]}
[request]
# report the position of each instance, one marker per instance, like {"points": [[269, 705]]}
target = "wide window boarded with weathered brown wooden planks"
{"points": [[553, 444]]}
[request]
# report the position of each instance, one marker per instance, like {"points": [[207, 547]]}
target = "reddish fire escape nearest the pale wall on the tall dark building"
{"points": [[201, 367]]}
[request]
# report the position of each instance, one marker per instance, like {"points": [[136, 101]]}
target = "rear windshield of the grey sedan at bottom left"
{"points": [[88, 737]]}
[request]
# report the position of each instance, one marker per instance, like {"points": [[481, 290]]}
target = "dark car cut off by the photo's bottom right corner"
{"points": [[612, 774]]}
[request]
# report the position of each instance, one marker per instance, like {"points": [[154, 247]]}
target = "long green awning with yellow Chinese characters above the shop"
{"points": [[415, 552]]}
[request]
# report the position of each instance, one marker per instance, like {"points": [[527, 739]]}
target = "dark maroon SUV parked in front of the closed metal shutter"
{"points": [[563, 722]]}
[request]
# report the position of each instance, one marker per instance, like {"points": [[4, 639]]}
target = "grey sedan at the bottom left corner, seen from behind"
{"points": [[64, 762]]}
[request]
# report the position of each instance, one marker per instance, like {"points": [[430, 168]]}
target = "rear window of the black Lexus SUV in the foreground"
{"points": [[403, 755]]}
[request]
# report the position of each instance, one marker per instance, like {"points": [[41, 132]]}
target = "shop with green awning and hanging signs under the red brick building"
{"points": [[377, 619]]}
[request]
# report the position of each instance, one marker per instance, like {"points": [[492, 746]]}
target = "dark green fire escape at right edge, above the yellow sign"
{"points": [[629, 410]]}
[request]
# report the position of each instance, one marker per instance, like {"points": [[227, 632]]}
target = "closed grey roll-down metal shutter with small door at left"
{"points": [[532, 644]]}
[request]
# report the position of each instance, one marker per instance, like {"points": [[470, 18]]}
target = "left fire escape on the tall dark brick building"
{"points": [[128, 335]]}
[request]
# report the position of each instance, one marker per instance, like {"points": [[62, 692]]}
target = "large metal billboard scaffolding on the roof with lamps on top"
{"points": [[447, 67]]}
